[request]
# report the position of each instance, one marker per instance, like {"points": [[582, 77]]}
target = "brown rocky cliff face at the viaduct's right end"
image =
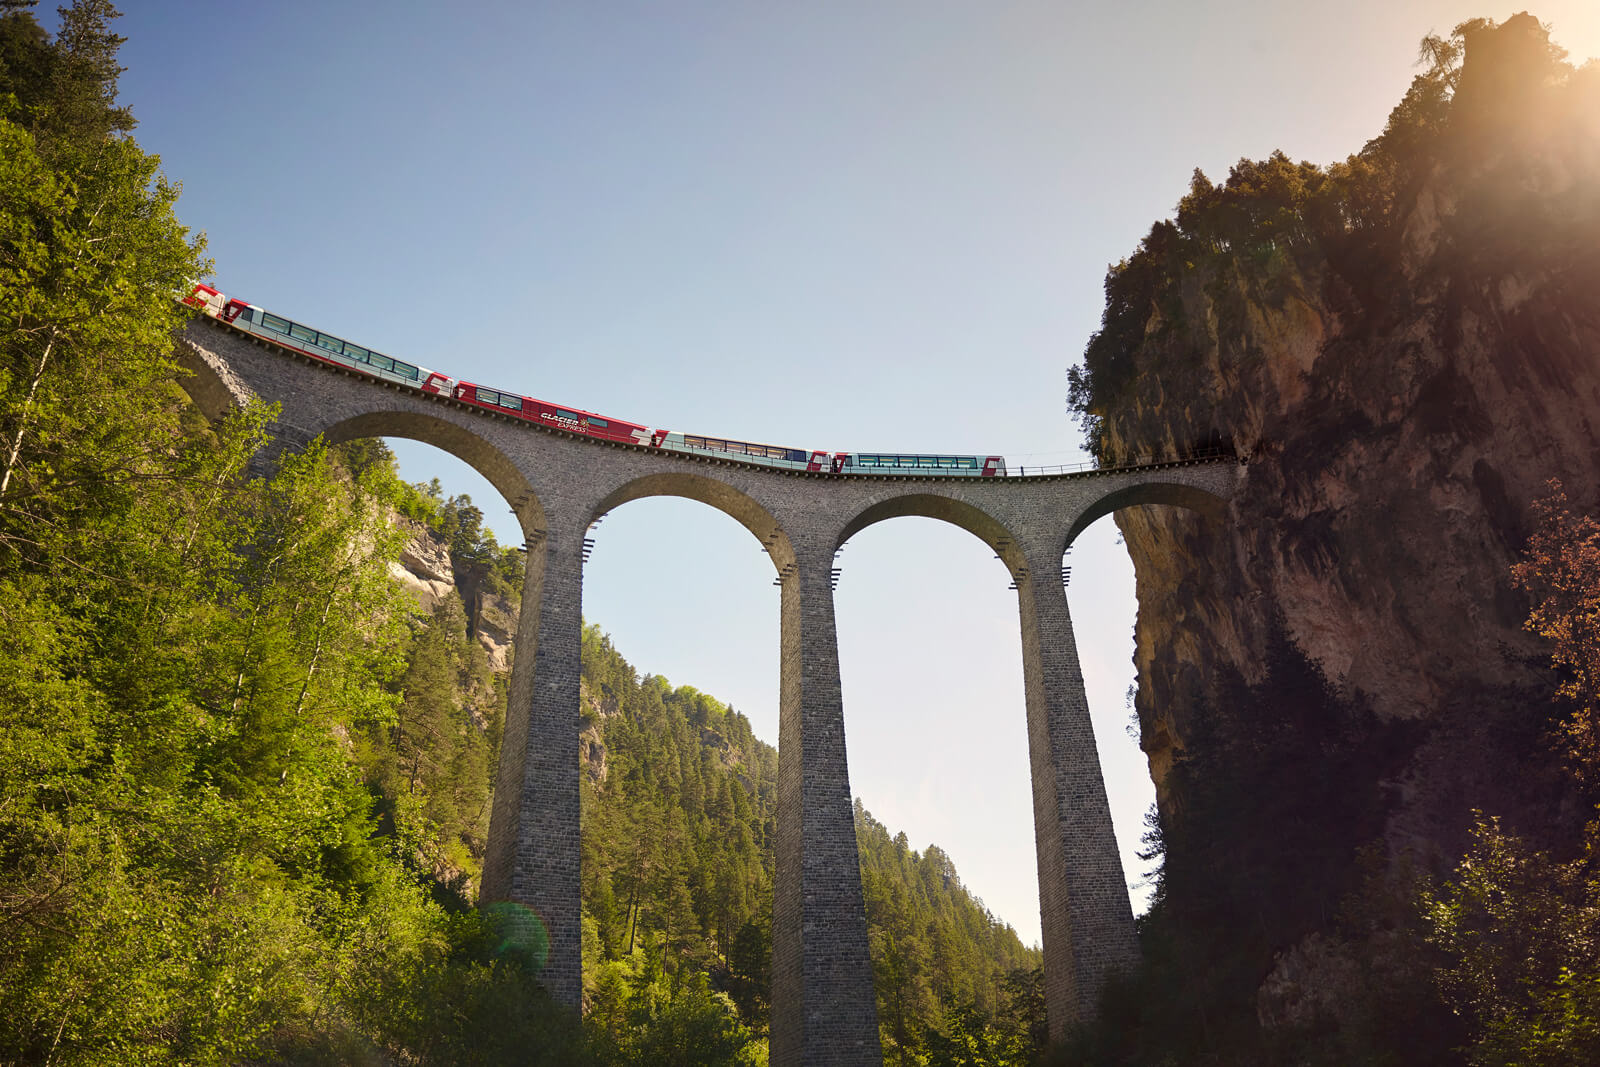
{"points": [[1402, 391]]}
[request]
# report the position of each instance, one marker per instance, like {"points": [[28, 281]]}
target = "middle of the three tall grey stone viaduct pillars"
{"points": [[825, 1012]]}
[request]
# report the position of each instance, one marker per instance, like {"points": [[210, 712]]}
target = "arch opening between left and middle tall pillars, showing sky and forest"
{"points": [[681, 591]]}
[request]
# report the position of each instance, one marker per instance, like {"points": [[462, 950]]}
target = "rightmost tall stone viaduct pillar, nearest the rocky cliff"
{"points": [[1082, 893]]}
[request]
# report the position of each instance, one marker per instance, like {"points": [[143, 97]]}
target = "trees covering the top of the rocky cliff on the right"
{"points": [[1273, 228]]}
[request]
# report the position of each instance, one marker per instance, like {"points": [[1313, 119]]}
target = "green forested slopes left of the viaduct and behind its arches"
{"points": [[246, 769]]}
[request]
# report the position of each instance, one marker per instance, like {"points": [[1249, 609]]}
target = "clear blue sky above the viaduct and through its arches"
{"points": [[879, 225]]}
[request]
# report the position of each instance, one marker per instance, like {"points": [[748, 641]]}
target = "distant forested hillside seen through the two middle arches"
{"points": [[678, 879]]}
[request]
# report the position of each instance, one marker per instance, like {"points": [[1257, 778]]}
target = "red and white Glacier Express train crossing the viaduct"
{"points": [[330, 350]]}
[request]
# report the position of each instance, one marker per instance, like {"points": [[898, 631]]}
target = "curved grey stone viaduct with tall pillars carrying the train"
{"points": [[561, 484]]}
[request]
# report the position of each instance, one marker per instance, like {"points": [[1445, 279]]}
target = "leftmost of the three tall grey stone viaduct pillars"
{"points": [[530, 873]]}
